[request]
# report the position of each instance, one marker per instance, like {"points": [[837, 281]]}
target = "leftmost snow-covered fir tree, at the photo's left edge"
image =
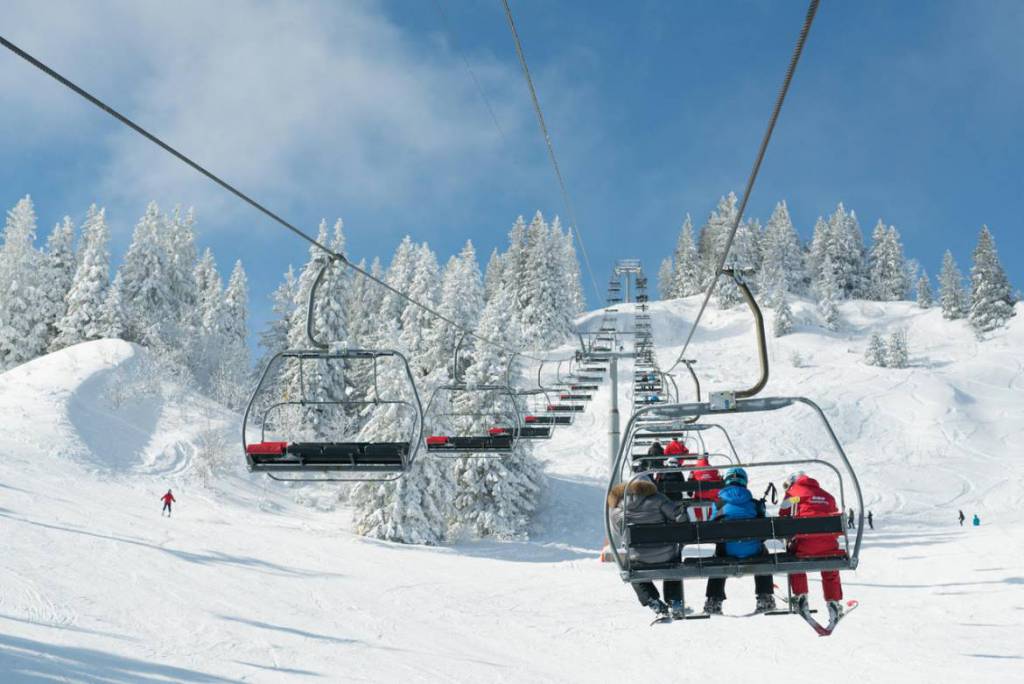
{"points": [[24, 325]]}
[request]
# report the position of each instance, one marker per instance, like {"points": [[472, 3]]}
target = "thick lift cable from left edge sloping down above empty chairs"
{"points": [[331, 254]]}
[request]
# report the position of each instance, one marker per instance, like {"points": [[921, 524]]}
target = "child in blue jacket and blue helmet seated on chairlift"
{"points": [[737, 503]]}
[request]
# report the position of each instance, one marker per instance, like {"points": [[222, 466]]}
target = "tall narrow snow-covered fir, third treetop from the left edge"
{"points": [[83, 319]]}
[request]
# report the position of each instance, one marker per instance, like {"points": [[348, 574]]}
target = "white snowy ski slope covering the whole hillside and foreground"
{"points": [[244, 584]]}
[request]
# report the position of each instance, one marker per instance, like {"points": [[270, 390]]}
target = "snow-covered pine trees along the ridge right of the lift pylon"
{"points": [[835, 266]]}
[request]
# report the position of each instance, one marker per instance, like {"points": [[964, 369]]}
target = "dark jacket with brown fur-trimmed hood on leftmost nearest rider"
{"points": [[644, 504]]}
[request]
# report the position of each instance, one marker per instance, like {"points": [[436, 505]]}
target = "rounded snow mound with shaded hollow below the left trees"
{"points": [[101, 405]]}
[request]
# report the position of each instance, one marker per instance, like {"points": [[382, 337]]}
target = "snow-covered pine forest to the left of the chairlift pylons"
{"points": [[170, 298]]}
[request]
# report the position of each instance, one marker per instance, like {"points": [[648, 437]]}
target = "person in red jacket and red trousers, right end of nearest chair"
{"points": [[805, 499]]}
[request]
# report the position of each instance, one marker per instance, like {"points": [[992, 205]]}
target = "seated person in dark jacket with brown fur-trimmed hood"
{"points": [[645, 504]]}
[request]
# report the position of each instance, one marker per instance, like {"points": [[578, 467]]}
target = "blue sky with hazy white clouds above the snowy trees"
{"points": [[911, 112]]}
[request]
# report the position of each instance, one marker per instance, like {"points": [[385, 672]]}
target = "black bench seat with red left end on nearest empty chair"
{"points": [[352, 456]]}
